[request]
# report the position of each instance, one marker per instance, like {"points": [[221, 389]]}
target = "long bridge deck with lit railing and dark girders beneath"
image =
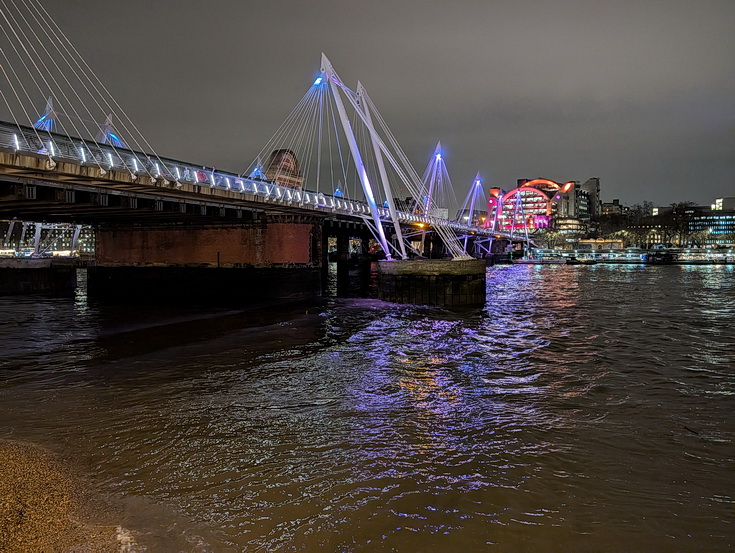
{"points": [[99, 169]]}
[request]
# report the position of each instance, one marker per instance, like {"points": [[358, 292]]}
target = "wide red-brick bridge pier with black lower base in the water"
{"points": [[274, 258]]}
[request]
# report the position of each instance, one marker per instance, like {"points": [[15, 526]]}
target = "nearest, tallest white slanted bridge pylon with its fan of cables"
{"points": [[311, 148]]}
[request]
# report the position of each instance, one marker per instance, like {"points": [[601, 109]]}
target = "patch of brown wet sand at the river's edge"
{"points": [[43, 509]]}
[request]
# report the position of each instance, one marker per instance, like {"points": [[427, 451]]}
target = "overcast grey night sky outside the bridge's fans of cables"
{"points": [[640, 93]]}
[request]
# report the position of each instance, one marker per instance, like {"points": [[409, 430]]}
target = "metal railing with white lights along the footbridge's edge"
{"points": [[85, 152]]}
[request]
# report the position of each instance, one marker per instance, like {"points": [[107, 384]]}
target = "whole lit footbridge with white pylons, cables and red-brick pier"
{"points": [[333, 163]]}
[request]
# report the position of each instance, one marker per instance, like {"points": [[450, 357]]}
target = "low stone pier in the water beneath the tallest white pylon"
{"points": [[433, 282]]}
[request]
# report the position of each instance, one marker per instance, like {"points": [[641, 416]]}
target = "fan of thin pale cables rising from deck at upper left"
{"points": [[43, 66]]}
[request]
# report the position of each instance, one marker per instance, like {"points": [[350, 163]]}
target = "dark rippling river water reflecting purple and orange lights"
{"points": [[584, 409]]}
